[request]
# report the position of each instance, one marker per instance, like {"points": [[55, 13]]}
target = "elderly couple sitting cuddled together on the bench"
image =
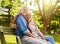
{"points": [[27, 29]]}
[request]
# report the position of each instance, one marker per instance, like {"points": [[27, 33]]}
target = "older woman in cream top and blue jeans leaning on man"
{"points": [[36, 31]]}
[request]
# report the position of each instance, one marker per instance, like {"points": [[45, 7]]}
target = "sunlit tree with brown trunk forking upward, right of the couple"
{"points": [[47, 12]]}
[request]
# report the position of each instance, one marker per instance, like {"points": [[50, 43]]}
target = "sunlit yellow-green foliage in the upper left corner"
{"points": [[13, 5]]}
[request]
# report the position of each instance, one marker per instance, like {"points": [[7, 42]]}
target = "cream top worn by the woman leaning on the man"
{"points": [[34, 28]]}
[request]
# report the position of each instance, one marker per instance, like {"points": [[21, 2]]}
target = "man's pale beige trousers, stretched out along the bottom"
{"points": [[30, 40]]}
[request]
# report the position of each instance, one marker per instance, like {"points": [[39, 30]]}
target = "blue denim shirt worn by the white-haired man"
{"points": [[22, 28]]}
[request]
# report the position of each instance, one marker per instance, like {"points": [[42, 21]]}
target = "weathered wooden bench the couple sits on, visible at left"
{"points": [[7, 30]]}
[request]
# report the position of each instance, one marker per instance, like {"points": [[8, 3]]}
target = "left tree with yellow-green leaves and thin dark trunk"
{"points": [[13, 7]]}
